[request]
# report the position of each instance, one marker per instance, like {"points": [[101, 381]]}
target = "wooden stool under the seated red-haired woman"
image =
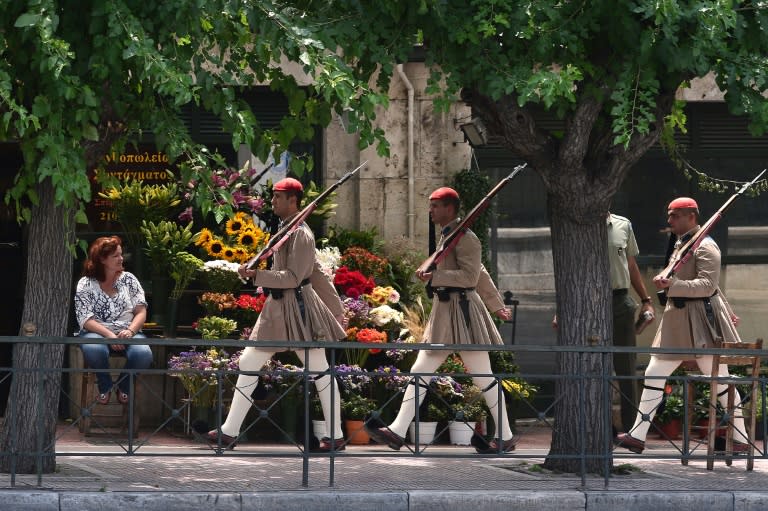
{"points": [[113, 414]]}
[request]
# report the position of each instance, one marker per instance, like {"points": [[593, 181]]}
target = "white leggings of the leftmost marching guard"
{"points": [[254, 359]]}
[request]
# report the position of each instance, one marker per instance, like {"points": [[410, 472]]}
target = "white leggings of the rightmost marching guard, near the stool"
{"points": [[655, 377]]}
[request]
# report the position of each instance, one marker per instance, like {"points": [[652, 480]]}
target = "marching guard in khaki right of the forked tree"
{"points": [[697, 315]]}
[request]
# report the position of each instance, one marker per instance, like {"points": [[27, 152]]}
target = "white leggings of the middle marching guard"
{"points": [[477, 362]]}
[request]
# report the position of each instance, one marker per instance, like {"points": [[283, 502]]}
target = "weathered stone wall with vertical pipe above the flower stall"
{"points": [[380, 196]]}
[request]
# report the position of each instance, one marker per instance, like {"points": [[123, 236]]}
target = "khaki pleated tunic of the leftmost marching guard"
{"points": [[281, 319]]}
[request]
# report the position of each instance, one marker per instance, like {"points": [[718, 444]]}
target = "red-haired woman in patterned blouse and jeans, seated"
{"points": [[110, 303]]}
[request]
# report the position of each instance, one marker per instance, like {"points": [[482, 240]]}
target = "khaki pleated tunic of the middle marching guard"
{"points": [[462, 268]]}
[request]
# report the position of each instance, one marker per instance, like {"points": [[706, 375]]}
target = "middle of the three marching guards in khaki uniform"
{"points": [[463, 294]]}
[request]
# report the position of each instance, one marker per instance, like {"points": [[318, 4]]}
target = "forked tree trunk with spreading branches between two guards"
{"points": [[582, 170]]}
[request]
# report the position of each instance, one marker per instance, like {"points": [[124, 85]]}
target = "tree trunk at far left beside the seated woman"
{"points": [[30, 420]]}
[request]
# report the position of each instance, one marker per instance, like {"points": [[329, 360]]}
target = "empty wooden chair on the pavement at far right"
{"points": [[748, 403]]}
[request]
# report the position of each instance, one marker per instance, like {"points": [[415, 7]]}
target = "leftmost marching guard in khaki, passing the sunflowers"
{"points": [[296, 310]]}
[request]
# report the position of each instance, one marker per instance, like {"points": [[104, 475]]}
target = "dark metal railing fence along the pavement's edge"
{"points": [[179, 412]]}
